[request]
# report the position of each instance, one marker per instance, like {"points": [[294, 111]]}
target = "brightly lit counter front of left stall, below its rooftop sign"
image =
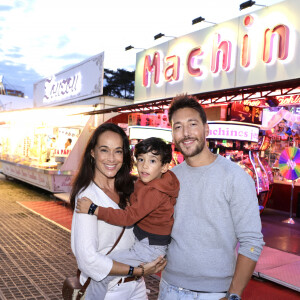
{"points": [[33, 145]]}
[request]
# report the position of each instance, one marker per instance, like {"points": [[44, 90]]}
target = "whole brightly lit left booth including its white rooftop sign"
{"points": [[43, 145]]}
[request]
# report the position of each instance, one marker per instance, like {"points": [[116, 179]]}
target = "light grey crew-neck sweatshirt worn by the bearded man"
{"points": [[217, 208]]}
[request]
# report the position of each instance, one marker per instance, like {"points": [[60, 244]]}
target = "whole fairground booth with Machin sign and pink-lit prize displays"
{"points": [[246, 73]]}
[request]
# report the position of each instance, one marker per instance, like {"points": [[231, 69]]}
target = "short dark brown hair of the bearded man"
{"points": [[185, 101]]}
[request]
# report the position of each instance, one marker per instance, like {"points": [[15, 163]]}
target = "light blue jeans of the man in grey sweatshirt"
{"points": [[171, 292]]}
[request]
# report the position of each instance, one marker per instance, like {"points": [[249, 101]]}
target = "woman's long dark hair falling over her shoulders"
{"points": [[86, 173]]}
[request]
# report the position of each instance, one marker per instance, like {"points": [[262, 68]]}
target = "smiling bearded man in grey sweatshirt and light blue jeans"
{"points": [[216, 208]]}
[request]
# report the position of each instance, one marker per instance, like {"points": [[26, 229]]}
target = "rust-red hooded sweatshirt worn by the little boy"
{"points": [[151, 206]]}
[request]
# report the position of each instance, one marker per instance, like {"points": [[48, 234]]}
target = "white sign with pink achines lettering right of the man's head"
{"points": [[233, 131]]}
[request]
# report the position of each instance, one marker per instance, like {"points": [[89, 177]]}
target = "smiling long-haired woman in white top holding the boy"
{"points": [[104, 176]]}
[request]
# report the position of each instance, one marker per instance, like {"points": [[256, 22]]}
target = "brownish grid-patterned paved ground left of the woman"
{"points": [[35, 254]]}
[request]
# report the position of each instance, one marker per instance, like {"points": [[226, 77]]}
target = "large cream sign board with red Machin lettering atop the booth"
{"points": [[252, 49]]}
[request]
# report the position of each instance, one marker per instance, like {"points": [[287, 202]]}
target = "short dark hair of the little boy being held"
{"points": [[156, 146]]}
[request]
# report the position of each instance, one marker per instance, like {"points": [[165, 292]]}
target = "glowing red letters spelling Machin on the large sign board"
{"points": [[221, 55]]}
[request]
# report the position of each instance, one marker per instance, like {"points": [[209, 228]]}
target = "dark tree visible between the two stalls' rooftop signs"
{"points": [[119, 83]]}
